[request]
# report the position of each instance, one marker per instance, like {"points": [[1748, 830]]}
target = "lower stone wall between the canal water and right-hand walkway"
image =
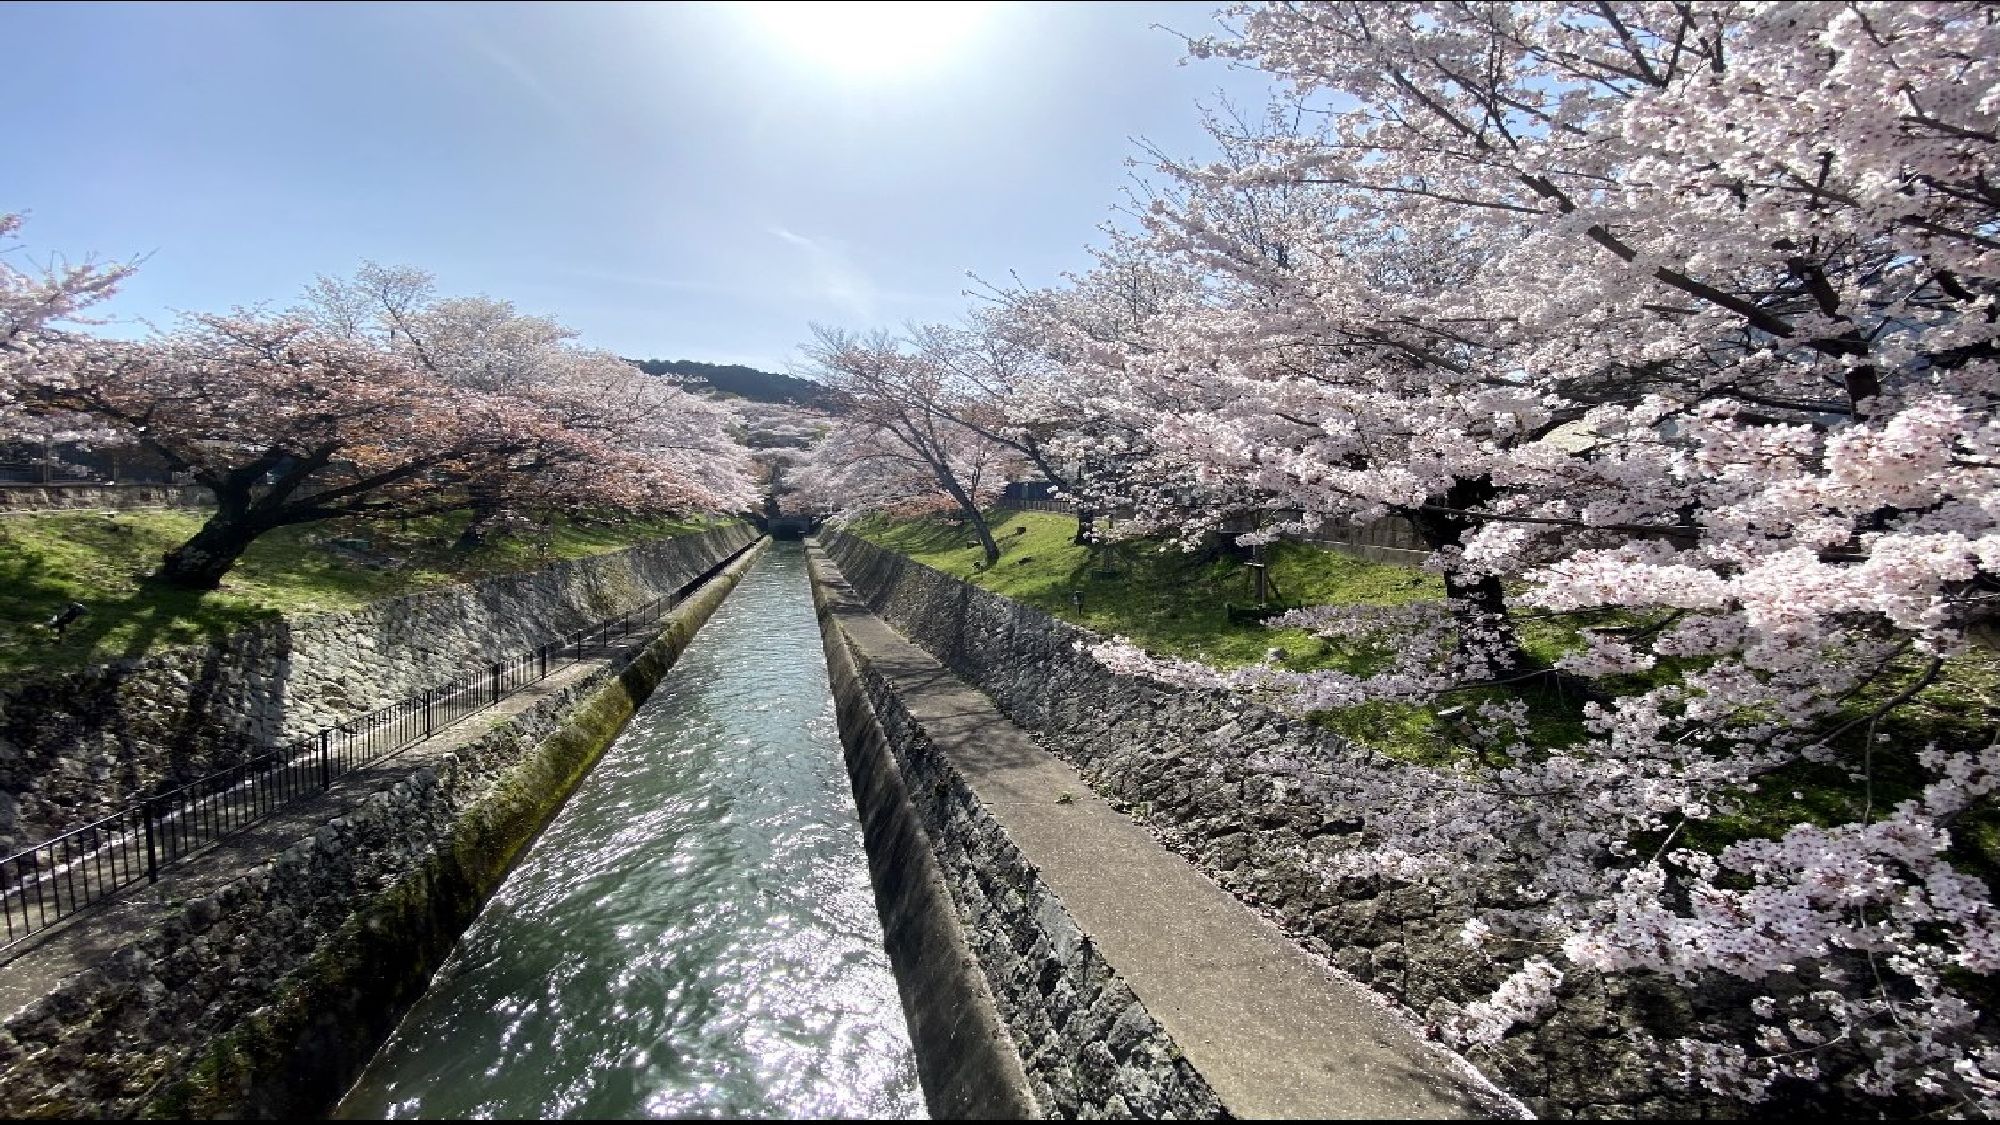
{"points": [[1077, 1042]]}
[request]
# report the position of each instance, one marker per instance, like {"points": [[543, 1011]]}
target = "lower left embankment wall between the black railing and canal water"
{"points": [[257, 978]]}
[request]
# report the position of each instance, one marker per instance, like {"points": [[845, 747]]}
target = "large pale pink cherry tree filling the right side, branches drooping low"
{"points": [[1681, 313]]}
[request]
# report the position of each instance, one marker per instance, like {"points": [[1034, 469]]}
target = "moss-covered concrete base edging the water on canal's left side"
{"points": [[297, 1056]]}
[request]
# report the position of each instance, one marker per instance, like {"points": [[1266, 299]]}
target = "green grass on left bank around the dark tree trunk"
{"points": [[101, 559]]}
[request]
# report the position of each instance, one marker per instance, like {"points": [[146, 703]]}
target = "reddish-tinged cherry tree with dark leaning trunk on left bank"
{"points": [[289, 425]]}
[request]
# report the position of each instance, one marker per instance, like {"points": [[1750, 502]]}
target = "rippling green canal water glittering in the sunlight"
{"points": [[695, 934]]}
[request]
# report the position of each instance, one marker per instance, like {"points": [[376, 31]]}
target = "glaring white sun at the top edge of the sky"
{"points": [[869, 39]]}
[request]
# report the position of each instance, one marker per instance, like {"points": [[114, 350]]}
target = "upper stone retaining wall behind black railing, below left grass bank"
{"points": [[77, 746]]}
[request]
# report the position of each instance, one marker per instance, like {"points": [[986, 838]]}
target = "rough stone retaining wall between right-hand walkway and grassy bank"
{"points": [[1187, 764]]}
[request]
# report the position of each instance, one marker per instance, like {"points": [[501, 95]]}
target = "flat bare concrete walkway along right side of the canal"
{"points": [[1271, 1030]]}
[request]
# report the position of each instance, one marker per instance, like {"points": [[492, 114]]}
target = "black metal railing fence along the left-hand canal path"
{"points": [[85, 866]]}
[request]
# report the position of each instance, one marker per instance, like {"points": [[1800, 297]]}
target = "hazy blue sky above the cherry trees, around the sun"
{"points": [[671, 179]]}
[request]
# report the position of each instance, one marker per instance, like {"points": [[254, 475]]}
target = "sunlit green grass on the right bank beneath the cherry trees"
{"points": [[1173, 604]]}
